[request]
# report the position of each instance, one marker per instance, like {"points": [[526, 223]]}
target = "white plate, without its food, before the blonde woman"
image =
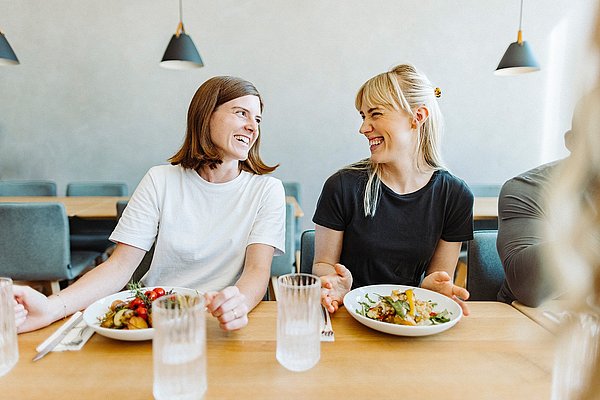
{"points": [[443, 303]]}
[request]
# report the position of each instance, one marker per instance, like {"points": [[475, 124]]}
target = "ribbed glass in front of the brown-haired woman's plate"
{"points": [[179, 347]]}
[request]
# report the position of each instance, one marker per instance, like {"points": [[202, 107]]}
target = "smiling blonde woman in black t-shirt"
{"points": [[397, 217]]}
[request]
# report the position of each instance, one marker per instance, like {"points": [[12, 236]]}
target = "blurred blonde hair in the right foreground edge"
{"points": [[575, 231]]}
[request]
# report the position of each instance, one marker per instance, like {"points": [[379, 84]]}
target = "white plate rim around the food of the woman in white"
{"points": [[100, 307]]}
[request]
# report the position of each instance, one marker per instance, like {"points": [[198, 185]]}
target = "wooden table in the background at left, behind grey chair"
{"points": [[76, 206]]}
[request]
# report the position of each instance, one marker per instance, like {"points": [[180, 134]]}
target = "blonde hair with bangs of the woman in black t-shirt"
{"points": [[402, 88]]}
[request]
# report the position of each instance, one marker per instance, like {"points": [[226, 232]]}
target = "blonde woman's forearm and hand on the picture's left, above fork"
{"points": [[336, 280]]}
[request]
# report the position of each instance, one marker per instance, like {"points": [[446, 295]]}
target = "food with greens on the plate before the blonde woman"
{"points": [[402, 308]]}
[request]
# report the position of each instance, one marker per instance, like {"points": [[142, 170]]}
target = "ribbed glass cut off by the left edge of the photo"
{"points": [[9, 350]]}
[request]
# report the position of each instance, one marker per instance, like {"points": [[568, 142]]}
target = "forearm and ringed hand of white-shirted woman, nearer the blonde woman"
{"points": [[232, 304]]}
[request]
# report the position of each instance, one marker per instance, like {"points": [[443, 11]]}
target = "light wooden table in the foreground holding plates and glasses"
{"points": [[495, 353]]}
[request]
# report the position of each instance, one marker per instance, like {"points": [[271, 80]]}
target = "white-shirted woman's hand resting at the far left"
{"points": [[32, 309]]}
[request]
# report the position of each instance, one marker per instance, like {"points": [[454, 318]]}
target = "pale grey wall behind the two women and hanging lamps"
{"points": [[89, 101]]}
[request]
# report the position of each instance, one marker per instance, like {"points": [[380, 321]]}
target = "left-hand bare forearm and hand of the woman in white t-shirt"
{"points": [[107, 278]]}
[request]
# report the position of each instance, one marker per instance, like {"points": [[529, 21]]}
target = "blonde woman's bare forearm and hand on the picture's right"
{"points": [[438, 276]]}
